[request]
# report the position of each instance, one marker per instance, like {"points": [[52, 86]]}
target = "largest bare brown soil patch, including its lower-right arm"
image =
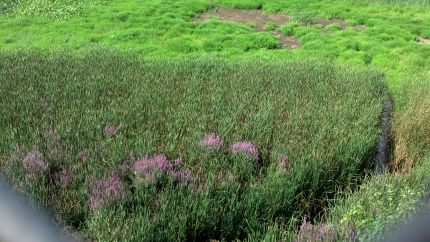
{"points": [[257, 17]]}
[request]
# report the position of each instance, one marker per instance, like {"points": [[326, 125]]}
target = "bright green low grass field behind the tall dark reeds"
{"points": [[377, 35]]}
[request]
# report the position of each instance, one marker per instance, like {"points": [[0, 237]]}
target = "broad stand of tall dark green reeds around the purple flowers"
{"points": [[323, 117]]}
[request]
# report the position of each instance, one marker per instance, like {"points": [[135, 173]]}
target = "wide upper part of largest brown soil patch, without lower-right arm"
{"points": [[257, 17]]}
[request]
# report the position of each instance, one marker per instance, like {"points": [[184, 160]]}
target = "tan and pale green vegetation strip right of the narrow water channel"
{"points": [[385, 201]]}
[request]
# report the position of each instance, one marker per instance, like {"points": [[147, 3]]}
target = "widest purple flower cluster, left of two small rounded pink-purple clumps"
{"points": [[151, 168]]}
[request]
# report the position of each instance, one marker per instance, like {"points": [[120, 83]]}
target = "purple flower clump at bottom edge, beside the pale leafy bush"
{"points": [[309, 232]]}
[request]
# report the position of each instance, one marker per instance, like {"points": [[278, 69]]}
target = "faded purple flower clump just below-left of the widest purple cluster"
{"points": [[107, 190]]}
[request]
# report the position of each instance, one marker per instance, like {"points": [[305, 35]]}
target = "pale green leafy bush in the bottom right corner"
{"points": [[381, 203]]}
